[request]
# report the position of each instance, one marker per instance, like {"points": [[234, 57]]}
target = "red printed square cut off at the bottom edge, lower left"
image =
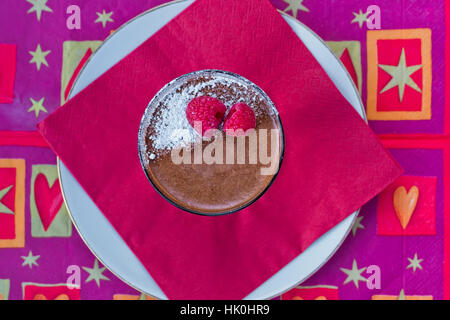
{"points": [[40, 291]]}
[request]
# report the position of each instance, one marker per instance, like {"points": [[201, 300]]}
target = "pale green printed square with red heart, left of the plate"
{"points": [[49, 216]]}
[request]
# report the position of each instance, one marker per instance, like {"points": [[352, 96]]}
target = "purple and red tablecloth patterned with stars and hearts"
{"points": [[395, 52]]}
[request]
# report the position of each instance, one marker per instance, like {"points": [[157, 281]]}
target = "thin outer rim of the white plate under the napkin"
{"points": [[356, 213]]}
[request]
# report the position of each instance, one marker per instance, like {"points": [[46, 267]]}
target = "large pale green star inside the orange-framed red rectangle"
{"points": [[400, 76]]}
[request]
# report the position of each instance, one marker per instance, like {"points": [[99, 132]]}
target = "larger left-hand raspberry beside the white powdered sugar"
{"points": [[207, 110]]}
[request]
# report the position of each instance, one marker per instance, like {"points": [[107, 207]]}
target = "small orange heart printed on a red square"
{"points": [[405, 203]]}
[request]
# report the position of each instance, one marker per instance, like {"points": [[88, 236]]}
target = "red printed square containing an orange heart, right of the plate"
{"points": [[407, 207]]}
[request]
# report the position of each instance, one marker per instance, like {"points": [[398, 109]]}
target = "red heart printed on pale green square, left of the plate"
{"points": [[48, 199]]}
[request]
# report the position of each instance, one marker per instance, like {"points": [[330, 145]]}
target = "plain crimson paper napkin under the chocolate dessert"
{"points": [[333, 162]]}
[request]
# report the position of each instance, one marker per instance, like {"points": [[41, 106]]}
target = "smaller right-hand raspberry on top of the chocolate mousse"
{"points": [[241, 116]]}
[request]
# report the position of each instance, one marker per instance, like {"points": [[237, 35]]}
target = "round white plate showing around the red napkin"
{"points": [[97, 232]]}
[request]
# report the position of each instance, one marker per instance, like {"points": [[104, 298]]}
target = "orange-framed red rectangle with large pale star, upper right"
{"points": [[399, 74]]}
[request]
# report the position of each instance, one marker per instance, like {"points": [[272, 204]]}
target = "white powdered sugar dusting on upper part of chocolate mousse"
{"points": [[165, 126]]}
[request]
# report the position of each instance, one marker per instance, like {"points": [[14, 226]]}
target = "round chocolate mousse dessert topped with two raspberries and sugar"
{"points": [[211, 142]]}
